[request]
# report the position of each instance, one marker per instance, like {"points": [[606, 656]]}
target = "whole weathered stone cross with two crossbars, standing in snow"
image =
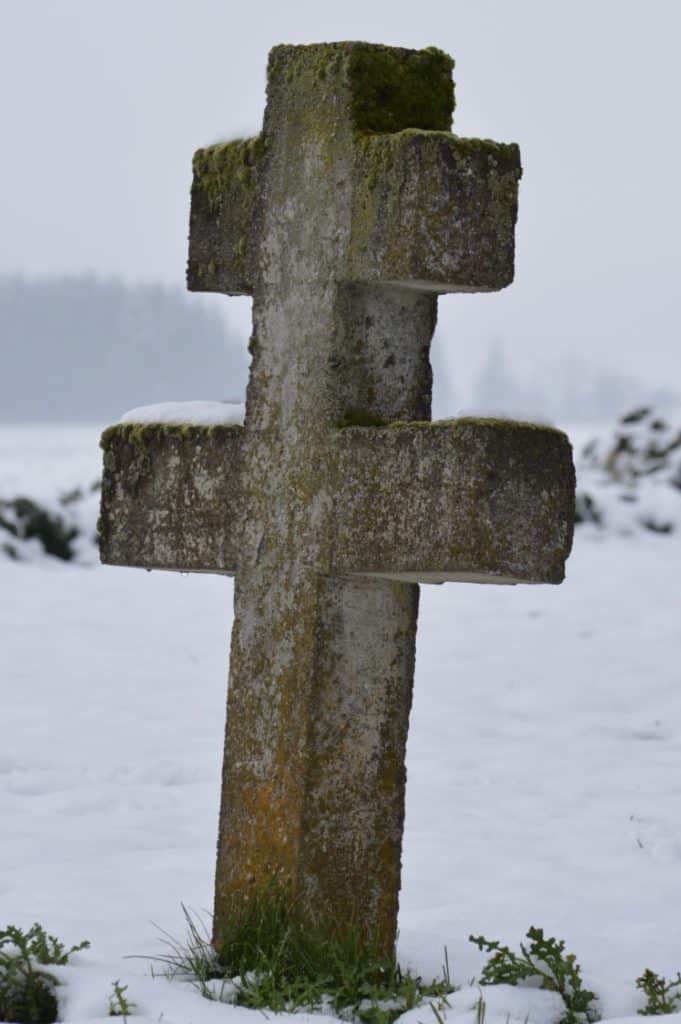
{"points": [[345, 220]]}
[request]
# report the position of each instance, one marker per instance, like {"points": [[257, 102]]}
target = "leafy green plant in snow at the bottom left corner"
{"points": [[27, 992]]}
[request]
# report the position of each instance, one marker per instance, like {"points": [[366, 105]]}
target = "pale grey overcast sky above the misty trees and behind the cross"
{"points": [[104, 102]]}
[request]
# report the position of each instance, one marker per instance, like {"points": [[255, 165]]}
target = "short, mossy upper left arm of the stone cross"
{"points": [[223, 236]]}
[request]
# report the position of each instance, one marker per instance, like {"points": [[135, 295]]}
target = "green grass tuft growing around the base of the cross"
{"points": [[274, 956]]}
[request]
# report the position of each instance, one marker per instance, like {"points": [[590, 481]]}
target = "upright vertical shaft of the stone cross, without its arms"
{"points": [[322, 668]]}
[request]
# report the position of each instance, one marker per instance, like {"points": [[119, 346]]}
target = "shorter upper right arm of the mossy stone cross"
{"points": [[435, 211]]}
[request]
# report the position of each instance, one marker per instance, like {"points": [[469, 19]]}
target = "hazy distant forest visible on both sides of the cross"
{"points": [[86, 350]]}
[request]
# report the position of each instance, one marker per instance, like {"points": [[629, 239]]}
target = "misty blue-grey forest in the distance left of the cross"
{"points": [[87, 350]]}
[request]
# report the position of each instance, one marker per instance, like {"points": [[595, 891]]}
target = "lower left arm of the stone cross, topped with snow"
{"points": [[171, 497]]}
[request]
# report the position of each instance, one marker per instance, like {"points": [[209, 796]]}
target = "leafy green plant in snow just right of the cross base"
{"points": [[543, 960]]}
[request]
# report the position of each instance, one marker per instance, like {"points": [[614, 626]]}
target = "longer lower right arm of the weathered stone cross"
{"points": [[484, 501]]}
